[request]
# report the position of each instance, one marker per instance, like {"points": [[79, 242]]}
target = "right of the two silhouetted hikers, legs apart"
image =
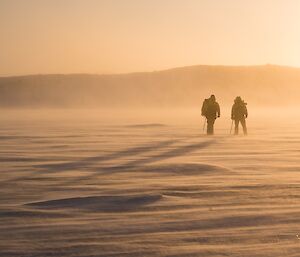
{"points": [[239, 113]]}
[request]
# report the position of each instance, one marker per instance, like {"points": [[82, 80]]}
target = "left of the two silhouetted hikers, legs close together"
{"points": [[210, 110]]}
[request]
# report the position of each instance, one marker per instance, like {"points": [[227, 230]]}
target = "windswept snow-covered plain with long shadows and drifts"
{"points": [[70, 188]]}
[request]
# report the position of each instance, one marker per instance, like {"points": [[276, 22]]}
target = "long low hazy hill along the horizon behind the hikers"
{"points": [[180, 87]]}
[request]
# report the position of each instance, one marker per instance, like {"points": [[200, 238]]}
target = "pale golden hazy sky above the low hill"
{"points": [[113, 36]]}
